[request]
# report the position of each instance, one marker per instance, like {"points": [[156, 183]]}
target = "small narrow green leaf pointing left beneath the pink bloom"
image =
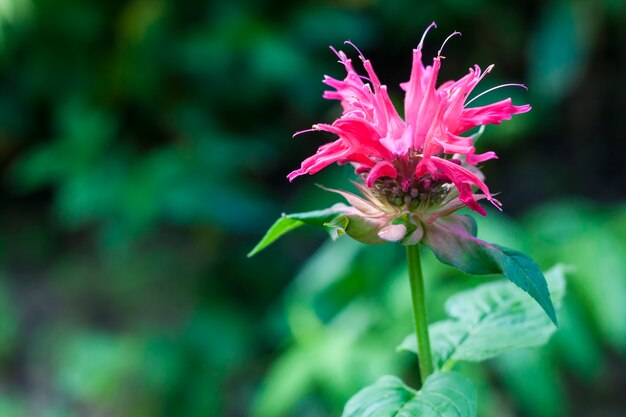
{"points": [[289, 222]]}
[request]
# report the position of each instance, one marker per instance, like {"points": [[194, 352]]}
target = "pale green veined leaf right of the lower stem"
{"points": [[489, 320]]}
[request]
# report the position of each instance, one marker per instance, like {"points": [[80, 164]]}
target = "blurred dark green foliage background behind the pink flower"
{"points": [[144, 146]]}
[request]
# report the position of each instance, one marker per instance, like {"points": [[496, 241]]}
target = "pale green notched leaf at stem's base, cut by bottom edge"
{"points": [[443, 395]]}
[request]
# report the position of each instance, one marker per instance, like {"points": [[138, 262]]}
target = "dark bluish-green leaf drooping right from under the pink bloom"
{"points": [[453, 240]]}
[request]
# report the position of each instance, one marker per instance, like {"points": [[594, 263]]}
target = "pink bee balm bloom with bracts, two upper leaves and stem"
{"points": [[415, 173]]}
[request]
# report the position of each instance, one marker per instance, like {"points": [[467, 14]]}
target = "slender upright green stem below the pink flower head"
{"points": [[419, 311]]}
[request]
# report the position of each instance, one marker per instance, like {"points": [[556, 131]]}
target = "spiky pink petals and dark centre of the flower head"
{"points": [[422, 160]]}
